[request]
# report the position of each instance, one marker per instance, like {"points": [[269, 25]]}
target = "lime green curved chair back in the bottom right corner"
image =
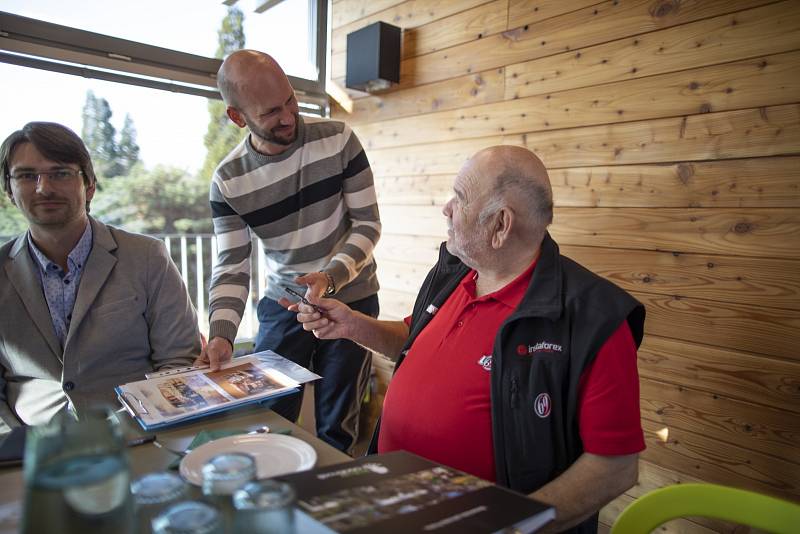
{"points": [[649, 511]]}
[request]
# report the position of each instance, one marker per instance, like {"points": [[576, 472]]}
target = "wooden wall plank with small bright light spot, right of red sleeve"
{"points": [[721, 463]]}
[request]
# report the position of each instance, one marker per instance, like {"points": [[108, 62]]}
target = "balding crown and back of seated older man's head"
{"points": [[517, 178]]}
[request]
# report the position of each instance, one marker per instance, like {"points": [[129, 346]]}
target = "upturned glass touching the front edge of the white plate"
{"points": [[222, 476]]}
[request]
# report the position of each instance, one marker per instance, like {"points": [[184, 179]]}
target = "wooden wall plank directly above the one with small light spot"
{"points": [[721, 418]]}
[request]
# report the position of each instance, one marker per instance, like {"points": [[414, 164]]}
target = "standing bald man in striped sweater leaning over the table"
{"points": [[304, 187]]}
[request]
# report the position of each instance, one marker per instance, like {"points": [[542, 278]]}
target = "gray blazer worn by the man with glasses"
{"points": [[132, 314]]}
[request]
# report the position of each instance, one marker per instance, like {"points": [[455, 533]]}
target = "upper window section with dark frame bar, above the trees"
{"points": [[167, 45]]}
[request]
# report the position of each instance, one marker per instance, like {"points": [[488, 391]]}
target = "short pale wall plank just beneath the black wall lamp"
{"points": [[473, 89]]}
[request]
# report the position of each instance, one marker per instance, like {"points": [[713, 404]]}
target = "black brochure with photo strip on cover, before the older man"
{"points": [[400, 493]]}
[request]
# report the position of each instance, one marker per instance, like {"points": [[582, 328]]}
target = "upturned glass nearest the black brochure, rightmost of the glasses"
{"points": [[264, 506]]}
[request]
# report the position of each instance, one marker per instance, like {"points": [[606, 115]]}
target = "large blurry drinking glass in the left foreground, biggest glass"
{"points": [[77, 477]]}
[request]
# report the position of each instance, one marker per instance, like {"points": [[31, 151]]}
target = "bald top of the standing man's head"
{"points": [[246, 73]]}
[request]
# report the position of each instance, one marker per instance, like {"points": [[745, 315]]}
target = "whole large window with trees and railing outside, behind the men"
{"points": [[144, 70]]}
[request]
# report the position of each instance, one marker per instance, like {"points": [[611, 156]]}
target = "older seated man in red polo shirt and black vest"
{"points": [[517, 364]]}
